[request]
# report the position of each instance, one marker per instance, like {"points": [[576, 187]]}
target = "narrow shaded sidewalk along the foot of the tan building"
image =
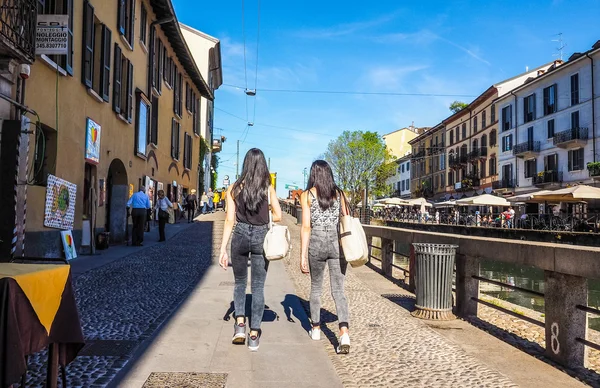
{"points": [[85, 263]]}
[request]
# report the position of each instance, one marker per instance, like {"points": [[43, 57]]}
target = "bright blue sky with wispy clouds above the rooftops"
{"points": [[423, 47]]}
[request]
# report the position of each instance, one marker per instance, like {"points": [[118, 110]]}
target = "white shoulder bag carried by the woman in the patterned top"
{"points": [[353, 240]]}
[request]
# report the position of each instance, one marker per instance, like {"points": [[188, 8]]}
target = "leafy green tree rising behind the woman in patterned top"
{"points": [[359, 158]]}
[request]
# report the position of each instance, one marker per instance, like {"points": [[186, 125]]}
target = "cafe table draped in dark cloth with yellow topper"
{"points": [[37, 310]]}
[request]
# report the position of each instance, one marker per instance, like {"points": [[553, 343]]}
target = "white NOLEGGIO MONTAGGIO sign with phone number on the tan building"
{"points": [[52, 35]]}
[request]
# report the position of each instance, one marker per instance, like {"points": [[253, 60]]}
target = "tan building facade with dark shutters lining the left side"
{"points": [[120, 111]]}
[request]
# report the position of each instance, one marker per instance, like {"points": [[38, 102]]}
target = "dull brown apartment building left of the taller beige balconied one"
{"points": [[428, 164]]}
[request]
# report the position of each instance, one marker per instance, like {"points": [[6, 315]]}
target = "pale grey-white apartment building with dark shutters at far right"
{"points": [[549, 125]]}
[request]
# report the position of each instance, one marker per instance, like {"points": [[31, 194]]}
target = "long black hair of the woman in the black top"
{"points": [[254, 182]]}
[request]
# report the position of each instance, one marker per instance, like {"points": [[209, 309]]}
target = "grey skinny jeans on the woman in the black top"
{"points": [[247, 241]]}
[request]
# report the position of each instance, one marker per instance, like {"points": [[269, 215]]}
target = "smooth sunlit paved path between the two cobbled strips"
{"points": [[197, 339]]}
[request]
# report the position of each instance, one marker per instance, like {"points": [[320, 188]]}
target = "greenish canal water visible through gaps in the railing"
{"points": [[525, 277]]}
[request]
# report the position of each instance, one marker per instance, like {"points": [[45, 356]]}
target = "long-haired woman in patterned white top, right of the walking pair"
{"points": [[322, 204]]}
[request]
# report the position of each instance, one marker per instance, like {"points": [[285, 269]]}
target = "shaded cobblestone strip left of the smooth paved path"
{"points": [[121, 304]]}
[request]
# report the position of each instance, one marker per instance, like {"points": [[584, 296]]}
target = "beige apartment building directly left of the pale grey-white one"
{"points": [[472, 141]]}
